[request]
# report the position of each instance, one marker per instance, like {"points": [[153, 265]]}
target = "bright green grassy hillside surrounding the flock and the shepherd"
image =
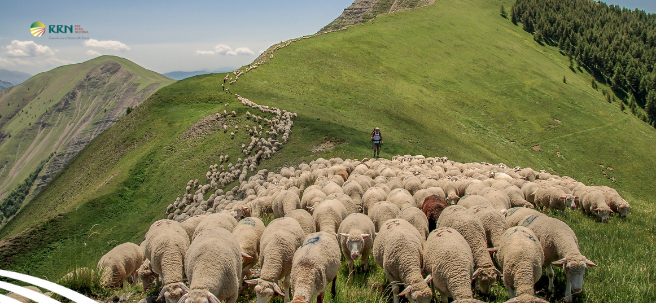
{"points": [[452, 79]]}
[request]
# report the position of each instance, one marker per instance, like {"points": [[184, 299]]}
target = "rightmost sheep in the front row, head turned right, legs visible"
{"points": [[561, 247]]}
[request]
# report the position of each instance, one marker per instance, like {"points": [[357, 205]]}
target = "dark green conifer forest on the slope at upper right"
{"points": [[616, 45]]}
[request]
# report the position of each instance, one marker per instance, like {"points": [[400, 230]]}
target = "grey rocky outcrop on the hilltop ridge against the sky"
{"points": [[364, 10]]}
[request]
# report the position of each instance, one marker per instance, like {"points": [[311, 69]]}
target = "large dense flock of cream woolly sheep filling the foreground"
{"points": [[427, 222]]}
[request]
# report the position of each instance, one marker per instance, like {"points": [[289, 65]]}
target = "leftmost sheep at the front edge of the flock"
{"points": [[119, 263]]}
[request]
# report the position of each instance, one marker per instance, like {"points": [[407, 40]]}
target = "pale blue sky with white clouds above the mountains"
{"points": [[165, 36]]}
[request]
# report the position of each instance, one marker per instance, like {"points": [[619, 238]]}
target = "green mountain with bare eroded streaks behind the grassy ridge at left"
{"points": [[62, 110]]}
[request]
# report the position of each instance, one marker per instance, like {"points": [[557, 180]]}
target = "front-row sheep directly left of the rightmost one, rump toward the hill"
{"points": [[521, 257]]}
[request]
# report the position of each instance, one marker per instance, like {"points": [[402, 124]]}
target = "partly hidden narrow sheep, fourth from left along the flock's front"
{"points": [[248, 233]]}
